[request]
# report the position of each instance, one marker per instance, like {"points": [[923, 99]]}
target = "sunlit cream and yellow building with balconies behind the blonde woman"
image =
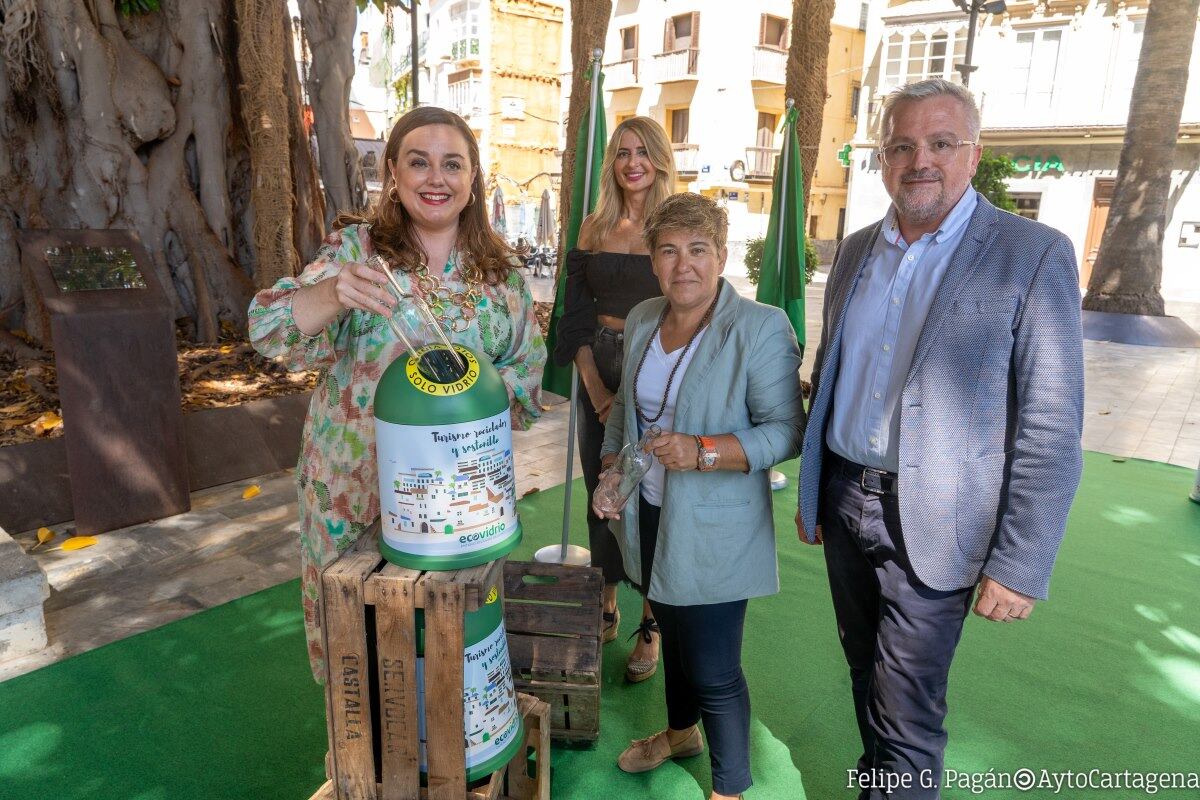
{"points": [[713, 75]]}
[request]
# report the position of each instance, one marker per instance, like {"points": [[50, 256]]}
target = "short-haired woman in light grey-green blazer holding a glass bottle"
{"points": [[719, 375]]}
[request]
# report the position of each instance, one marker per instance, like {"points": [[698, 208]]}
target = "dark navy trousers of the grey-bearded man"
{"points": [[899, 639]]}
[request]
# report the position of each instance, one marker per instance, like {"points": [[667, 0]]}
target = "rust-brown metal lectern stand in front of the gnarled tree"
{"points": [[115, 351]]}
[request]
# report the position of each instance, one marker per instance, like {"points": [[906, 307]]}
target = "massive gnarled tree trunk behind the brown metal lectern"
{"points": [[109, 122]]}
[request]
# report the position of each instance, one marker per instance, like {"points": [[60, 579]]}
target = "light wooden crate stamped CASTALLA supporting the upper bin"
{"points": [[369, 630]]}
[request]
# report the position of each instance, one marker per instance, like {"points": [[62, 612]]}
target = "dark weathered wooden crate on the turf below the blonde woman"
{"points": [[554, 617]]}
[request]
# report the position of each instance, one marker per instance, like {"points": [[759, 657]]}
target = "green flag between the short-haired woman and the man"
{"points": [[782, 278]]}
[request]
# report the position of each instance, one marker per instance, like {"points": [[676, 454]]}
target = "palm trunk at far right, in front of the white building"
{"points": [[1129, 270]]}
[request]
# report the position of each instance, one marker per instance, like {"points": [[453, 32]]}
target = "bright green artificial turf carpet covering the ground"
{"points": [[1105, 676]]}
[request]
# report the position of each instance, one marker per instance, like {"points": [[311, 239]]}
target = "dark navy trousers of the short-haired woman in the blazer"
{"points": [[703, 670]]}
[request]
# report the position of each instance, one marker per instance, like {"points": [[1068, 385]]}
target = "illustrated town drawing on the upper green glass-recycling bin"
{"points": [[479, 494]]}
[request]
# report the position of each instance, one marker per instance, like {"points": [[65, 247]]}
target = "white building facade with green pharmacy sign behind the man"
{"points": [[1053, 83]]}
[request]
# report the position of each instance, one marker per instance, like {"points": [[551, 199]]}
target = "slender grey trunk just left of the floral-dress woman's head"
{"points": [[329, 27]]}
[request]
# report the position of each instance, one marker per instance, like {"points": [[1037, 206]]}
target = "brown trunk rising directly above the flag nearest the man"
{"points": [[807, 79]]}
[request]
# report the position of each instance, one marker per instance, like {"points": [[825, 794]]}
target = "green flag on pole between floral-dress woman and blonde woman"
{"points": [[559, 380]]}
